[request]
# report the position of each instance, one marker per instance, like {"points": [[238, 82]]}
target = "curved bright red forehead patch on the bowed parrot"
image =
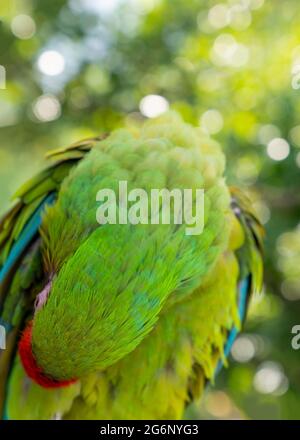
{"points": [[30, 364]]}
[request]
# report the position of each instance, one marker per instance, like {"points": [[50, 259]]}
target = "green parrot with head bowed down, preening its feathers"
{"points": [[122, 321]]}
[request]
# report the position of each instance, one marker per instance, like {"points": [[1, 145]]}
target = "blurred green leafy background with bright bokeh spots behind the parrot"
{"points": [[79, 67]]}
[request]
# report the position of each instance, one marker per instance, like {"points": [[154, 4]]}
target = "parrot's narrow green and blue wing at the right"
{"points": [[250, 258]]}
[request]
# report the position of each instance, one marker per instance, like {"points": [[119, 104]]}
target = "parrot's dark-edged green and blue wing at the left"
{"points": [[20, 258]]}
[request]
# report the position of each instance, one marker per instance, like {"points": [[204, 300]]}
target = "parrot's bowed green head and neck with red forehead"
{"points": [[114, 280]]}
